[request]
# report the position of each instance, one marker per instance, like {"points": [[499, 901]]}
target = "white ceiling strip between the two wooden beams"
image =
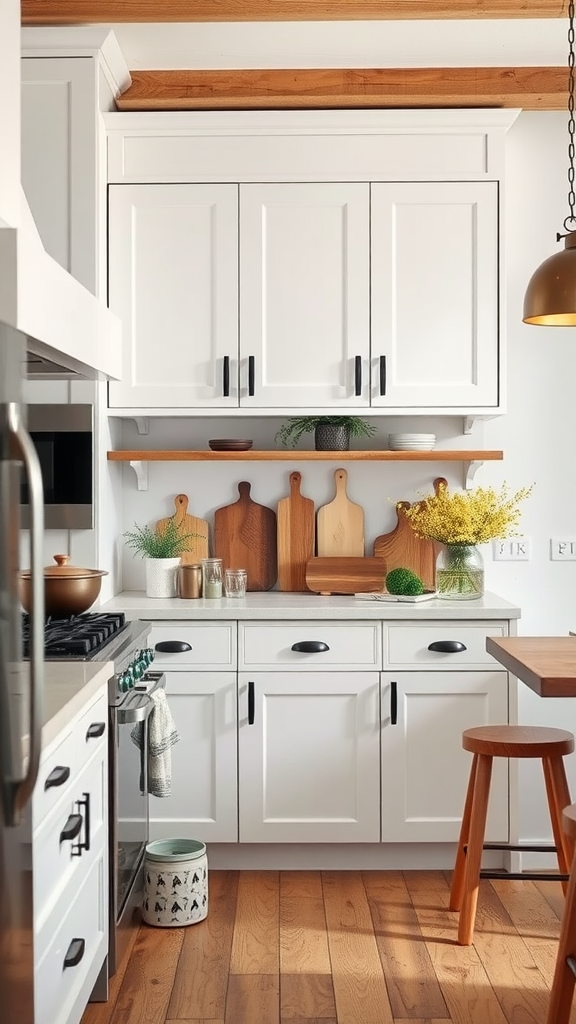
{"points": [[342, 45]]}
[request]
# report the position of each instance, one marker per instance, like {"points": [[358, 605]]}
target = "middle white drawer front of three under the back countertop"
{"points": [[271, 646]]}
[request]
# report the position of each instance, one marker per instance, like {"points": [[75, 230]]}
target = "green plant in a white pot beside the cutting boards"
{"points": [[161, 551]]}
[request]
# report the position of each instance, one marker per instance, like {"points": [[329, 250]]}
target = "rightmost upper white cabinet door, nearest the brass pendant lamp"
{"points": [[435, 293]]}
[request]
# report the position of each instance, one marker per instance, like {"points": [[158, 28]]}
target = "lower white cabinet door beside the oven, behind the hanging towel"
{"points": [[203, 804]]}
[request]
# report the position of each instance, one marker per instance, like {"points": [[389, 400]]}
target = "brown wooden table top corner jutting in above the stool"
{"points": [[547, 665]]}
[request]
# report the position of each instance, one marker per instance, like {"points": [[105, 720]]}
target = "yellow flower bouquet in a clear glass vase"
{"points": [[460, 522]]}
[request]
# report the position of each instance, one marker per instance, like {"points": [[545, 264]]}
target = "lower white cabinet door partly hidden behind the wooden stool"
{"points": [[425, 769]]}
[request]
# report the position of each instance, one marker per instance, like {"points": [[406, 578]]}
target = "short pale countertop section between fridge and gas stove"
{"points": [[69, 688]]}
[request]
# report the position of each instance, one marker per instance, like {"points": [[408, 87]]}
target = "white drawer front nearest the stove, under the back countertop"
{"points": [[213, 646]]}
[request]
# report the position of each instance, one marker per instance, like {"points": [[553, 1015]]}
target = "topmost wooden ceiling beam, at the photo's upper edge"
{"points": [[90, 12]]}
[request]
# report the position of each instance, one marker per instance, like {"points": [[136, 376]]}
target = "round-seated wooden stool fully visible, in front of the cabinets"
{"points": [[490, 742]]}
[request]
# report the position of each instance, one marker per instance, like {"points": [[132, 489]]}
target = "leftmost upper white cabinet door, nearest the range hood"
{"points": [[174, 280]]}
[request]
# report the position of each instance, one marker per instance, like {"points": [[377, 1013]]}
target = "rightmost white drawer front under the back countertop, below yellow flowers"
{"points": [[407, 645]]}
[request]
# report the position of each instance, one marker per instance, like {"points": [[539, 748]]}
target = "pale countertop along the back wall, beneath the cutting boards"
{"points": [[278, 606]]}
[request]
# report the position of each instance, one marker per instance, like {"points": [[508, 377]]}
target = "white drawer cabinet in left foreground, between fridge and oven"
{"points": [[70, 867]]}
